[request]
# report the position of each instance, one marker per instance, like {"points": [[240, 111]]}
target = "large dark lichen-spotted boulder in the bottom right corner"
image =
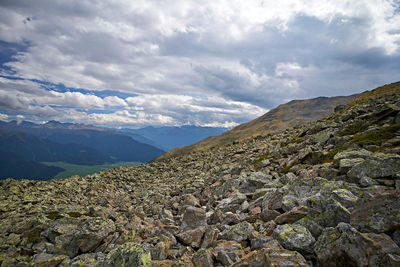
{"points": [[345, 246]]}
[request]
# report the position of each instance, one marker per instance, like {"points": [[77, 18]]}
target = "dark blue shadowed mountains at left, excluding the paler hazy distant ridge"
{"points": [[29, 144]]}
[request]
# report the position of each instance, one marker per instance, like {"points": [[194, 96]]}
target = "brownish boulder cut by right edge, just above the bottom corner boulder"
{"points": [[379, 214]]}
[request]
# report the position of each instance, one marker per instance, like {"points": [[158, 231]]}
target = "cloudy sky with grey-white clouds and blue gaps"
{"points": [[201, 62]]}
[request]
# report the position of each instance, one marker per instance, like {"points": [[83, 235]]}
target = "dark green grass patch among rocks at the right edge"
{"points": [[376, 137]]}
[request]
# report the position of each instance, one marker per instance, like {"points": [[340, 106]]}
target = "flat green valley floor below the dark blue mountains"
{"points": [[83, 170]]}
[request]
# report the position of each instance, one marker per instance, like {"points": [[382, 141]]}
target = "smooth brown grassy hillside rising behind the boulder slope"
{"points": [[291, 114]]}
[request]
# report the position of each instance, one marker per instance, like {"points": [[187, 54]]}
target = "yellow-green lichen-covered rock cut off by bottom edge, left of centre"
{"points": [[128, 254]]}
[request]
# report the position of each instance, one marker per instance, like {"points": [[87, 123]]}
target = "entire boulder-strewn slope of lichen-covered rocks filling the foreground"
{"points": [[326, 193]]}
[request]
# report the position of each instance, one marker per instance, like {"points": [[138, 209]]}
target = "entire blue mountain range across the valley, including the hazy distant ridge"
{"points": [[29, 144]]}
